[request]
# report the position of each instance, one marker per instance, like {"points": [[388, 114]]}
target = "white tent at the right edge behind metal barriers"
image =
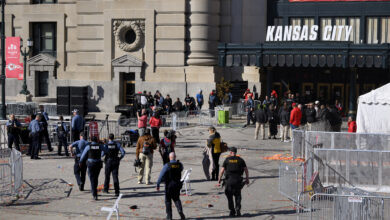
{"points": [[373, 114]]}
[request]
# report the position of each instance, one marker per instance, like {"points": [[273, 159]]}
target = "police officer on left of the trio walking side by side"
{"points": [[79, 169]]}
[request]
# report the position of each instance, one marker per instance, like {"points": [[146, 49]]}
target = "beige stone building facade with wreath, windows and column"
{"points": [[118, 47]]}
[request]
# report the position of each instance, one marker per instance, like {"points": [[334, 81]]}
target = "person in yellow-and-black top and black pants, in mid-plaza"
{"points": [[214, 142]]}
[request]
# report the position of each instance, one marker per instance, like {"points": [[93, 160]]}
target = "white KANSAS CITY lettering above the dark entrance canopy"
{"points": [[306, 33]]}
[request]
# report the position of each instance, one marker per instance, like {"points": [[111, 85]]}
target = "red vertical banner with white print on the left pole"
{"points": [[14, 69]]}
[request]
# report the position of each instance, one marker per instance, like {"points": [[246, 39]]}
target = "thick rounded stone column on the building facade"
{"points": [[203, 33]]}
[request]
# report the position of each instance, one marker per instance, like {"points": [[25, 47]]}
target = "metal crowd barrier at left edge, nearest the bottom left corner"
{"points": [[11, 173]]}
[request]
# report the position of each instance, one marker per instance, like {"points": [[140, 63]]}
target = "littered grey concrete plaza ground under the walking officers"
{"points": [[48, 194]]}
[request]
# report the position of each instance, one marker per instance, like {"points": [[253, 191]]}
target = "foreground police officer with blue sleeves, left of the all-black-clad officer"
{"points": [[171, 174]]}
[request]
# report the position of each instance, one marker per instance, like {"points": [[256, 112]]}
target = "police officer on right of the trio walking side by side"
{"points": [[112, 161]]}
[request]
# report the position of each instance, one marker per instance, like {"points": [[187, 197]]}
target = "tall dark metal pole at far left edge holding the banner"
{"points": [[2, 78]]}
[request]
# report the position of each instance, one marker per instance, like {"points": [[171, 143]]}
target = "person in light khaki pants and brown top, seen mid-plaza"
{"points": [[144, 152]]}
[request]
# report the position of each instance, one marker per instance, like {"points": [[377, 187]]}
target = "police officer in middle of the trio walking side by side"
{"points": [[93, 152]]}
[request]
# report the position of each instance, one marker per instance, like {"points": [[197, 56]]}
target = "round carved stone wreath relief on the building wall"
{"points": [[129, 34]]}
